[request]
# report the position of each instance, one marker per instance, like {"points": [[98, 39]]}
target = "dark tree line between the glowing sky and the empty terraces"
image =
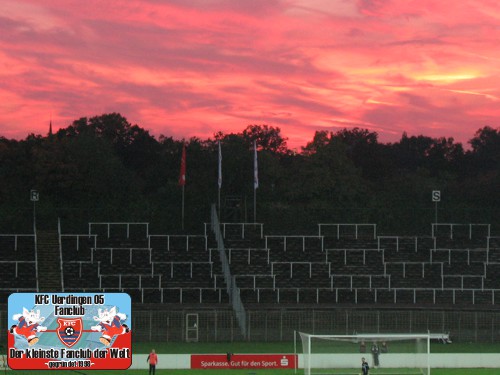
{"points": [[105, 169]]}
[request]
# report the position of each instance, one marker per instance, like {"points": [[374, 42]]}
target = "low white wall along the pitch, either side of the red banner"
{"points": [[462, 360]]}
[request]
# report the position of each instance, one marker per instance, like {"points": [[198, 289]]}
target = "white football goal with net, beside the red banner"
{"points": [[385, 354]]}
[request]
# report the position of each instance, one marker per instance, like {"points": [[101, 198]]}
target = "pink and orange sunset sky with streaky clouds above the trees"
{"points": [[186, 68]]}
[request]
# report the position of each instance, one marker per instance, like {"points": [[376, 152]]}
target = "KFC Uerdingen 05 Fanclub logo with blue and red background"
{"points": [[69, 331]]}
